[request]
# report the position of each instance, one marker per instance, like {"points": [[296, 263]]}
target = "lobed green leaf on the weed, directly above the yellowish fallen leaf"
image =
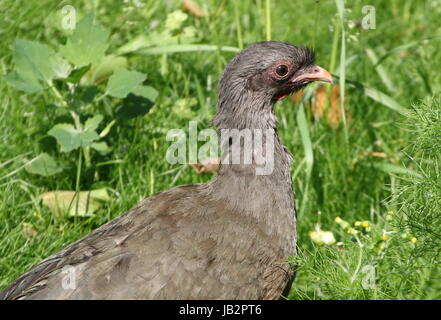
{"points": [[70, 138]]}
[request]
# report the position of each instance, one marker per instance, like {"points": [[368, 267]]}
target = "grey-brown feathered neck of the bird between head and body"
{"points": [[263, 191]]}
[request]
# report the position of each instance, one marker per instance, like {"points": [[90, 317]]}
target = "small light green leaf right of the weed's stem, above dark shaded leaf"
{"points": [[123, 81]]}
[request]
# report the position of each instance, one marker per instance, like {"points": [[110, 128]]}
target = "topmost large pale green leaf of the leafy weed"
{"points": [[87, 43]]}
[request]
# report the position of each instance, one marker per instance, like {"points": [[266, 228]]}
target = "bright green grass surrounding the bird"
{"points": [[331, 178]]}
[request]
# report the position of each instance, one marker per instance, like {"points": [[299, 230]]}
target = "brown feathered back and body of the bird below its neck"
{"points": [[178, 244]]}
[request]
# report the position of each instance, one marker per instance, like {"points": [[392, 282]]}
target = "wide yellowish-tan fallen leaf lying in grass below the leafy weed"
{"points": [[65, 202]]}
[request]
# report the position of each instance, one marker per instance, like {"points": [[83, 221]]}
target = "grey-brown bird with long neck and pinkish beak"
{"points": [[228, 238]]}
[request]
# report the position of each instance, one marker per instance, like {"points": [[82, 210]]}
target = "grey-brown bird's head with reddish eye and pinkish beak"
{"points": [[264, 73]]}
